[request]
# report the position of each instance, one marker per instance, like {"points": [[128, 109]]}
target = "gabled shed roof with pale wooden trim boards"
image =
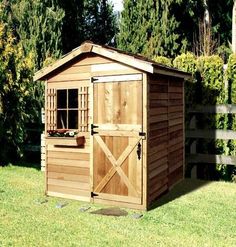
{"points": [[135, 61]]}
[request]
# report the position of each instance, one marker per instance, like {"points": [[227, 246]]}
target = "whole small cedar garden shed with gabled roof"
{"points": [[129, 115]]}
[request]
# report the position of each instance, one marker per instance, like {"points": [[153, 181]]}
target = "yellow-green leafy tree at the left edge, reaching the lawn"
{"points": [[16, 94]]}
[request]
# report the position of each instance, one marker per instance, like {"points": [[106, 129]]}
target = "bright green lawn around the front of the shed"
{"points": [[193, 214]]}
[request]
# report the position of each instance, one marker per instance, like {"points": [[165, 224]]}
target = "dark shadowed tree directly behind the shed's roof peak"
{"points": [[87, 20]]}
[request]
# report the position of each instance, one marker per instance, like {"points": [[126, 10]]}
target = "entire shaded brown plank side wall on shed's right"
{"points": [[165, 134]]}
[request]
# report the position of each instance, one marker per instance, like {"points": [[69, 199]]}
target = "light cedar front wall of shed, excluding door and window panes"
{"points": [[68, 167]]}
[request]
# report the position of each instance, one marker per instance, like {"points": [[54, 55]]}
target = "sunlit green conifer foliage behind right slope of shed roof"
{"points": [[147, 27]]}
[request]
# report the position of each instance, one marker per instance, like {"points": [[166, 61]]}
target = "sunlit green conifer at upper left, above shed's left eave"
{"points": [[38, 25]]}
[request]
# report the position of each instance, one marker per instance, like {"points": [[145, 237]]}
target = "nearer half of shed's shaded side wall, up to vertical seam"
{"points": [[157, 150]]}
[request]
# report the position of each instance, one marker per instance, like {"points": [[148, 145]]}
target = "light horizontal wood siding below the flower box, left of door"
{"points": [[68, 171]]}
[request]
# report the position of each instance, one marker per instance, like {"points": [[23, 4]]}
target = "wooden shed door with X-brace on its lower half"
{"points": [[117, 138]]}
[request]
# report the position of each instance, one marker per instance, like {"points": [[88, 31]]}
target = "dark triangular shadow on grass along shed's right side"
{"points": [[183, 188]]}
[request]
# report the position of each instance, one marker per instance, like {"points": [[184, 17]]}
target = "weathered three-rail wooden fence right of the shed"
{"points": [[193, 132]]}
